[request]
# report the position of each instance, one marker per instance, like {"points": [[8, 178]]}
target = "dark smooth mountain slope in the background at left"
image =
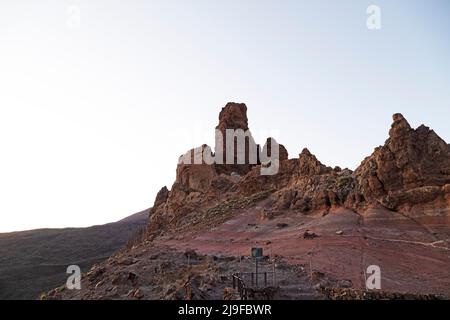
{"points": [[32, 262]]}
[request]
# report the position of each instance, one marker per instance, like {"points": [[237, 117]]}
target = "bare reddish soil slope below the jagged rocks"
{"points": [[413, 254]]}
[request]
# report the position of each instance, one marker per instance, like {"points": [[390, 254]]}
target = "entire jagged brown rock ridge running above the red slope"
{"points": [[410, 173]]}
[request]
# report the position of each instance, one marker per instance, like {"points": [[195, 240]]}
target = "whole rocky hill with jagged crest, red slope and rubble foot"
{"points": [[320, 227]]}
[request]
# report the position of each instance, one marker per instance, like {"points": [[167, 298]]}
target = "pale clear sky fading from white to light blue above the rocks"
{"points": [[99, 98]]}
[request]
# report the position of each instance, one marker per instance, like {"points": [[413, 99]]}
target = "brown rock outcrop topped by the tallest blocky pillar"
{"points": [[205, 178]]}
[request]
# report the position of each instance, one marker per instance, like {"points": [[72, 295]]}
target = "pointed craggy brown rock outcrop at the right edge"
{"points": [[411, 168]]}
